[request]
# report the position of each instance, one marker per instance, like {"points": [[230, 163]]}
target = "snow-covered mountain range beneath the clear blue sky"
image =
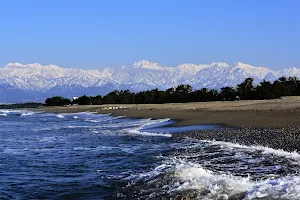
{"points": [[19, 82]]}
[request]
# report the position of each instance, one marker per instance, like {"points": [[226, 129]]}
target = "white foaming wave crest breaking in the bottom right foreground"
{"points": [[189, 179]]}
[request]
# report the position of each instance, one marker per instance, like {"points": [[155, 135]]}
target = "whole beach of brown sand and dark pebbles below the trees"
{"points": [[268, 123]]}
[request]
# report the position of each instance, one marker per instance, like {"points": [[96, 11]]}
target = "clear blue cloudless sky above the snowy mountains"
{"points": [[95, 34]]}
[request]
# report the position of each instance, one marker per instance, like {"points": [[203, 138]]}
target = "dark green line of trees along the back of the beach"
{"points": [[185, 93]]}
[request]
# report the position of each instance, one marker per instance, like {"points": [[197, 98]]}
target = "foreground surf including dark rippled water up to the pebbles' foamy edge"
{"points": [[222, 170]]}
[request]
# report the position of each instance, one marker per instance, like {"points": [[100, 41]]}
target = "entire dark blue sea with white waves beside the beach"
{"points": [[90, 156]]}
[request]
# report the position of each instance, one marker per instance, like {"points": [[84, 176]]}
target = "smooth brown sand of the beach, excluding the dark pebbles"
{"points": [[278, 113]]}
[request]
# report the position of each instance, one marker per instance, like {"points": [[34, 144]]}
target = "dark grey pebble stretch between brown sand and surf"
{"points": [[287, 139]]}
